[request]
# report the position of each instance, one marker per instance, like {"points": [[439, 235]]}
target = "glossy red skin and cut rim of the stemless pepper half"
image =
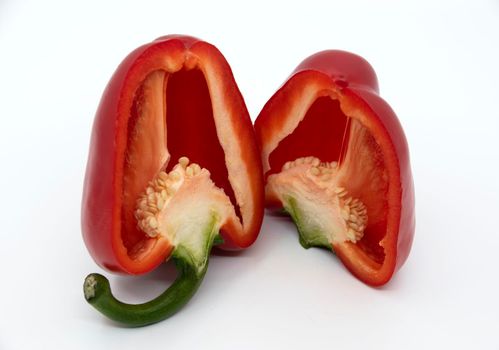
{"points": [[356, 80]]}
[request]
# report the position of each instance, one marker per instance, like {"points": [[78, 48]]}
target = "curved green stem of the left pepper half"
{"points": [[98, 294]]}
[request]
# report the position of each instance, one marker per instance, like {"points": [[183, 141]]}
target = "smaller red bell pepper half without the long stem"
{"points": [[336, 159]]}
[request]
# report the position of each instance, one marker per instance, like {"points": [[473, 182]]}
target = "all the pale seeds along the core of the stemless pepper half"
{"points": [[352, 210]]}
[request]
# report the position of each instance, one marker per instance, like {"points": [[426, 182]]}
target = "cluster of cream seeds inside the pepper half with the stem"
{"points": [[159, 192]]}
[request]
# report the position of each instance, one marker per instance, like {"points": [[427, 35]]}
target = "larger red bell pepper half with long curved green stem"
{"points": [[173, 168]]}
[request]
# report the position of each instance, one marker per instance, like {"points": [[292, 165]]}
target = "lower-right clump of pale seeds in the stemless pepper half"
{"points": [[354, 212]]}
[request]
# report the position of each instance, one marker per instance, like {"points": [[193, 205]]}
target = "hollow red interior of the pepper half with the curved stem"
{"points": [[171, 116]]}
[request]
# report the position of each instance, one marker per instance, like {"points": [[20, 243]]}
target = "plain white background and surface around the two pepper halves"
{"points": [[438, 66]]}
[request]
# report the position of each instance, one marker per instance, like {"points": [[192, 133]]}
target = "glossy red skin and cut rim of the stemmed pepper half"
{"points": [[103, 185]]}
